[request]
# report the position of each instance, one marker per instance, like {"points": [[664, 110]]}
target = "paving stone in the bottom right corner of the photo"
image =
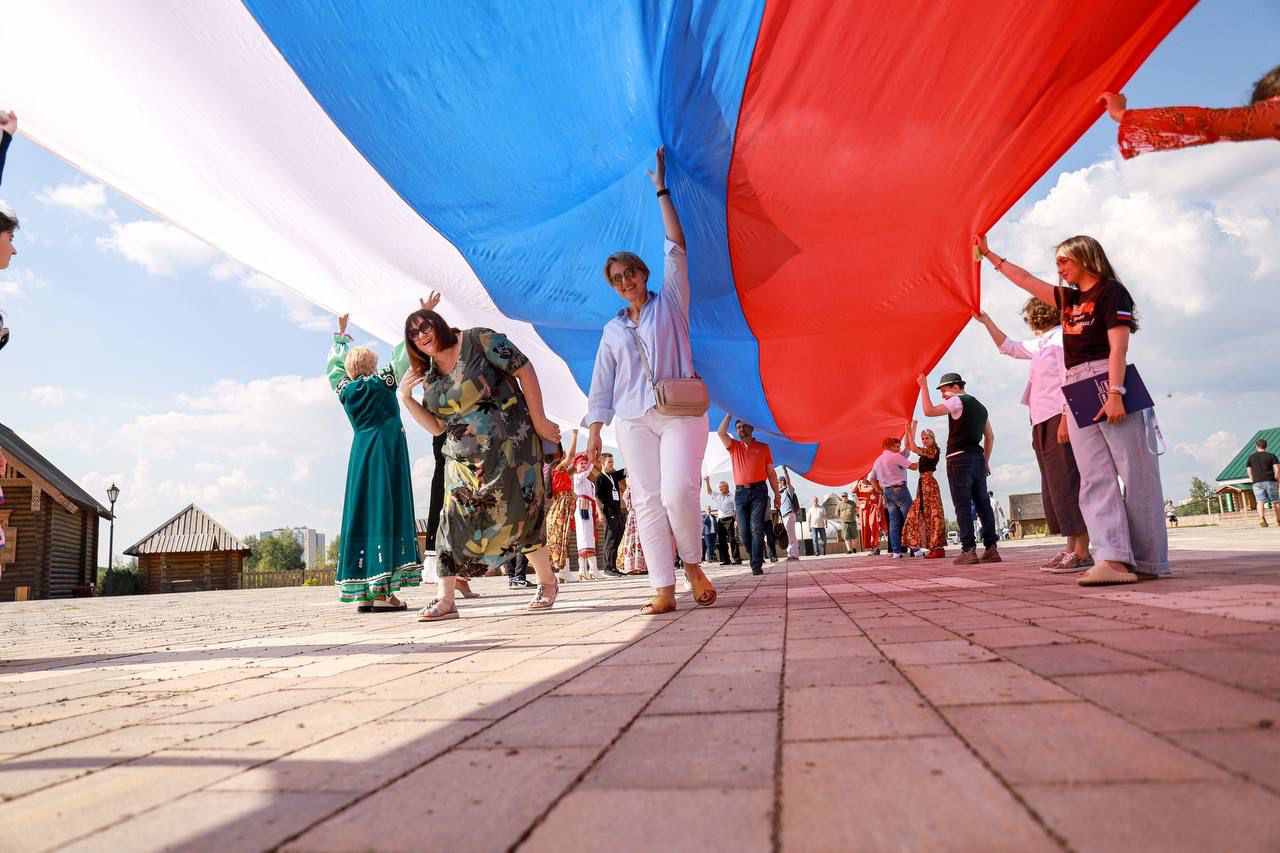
{"points": [[1168, 816]]}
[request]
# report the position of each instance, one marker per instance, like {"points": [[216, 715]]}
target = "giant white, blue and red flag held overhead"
{"points": [[830, 161]]}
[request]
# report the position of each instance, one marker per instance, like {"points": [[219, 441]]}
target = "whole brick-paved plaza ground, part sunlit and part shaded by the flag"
{"points": [[844, 704]]}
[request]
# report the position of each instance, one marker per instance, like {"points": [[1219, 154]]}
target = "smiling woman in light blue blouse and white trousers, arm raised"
{"points": [[664, 453]]}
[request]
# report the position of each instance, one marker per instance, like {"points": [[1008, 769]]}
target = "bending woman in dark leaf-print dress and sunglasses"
{"points": [[483, 394]]}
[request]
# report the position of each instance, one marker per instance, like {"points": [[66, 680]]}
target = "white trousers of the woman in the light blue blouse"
{"points": [[665, 460]]}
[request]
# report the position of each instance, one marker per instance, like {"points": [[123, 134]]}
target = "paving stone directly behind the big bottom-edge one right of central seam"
{"points": [[865, 711]]}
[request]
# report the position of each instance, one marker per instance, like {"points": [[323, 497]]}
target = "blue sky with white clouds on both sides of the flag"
{"points": [[158, 364]]}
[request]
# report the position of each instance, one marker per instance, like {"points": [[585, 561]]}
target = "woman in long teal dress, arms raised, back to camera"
{"points": [[378, 549]]}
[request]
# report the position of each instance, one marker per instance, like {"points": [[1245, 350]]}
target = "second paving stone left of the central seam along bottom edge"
{"points": [[455, 804]]}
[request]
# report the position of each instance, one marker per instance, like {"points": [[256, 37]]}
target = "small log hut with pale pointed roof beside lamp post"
{"points": [[190, 553]]}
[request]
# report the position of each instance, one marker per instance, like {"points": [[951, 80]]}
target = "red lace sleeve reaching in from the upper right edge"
{"points": [[1180, 127]]}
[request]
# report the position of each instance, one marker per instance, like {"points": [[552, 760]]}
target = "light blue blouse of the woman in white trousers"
{"points": [[619, 384]]}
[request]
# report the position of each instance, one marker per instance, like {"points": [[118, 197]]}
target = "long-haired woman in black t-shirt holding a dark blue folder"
{"points": [[1127, 530]]}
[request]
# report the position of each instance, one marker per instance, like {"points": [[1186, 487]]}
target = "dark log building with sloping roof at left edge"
{"points": [[51, 524]]}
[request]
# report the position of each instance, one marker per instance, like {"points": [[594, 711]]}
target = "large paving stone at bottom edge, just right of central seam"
{"points": [[915, 795]]}
